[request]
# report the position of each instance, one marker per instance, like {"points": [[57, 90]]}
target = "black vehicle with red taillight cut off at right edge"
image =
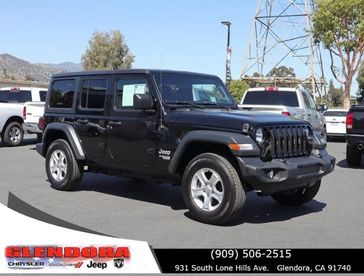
{"points": [[355, 134]]}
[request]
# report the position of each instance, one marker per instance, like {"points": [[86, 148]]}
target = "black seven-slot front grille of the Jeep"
{"points": [[286, 141]]}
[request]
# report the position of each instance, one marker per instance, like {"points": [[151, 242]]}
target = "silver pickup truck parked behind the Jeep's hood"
{"points": [[292, 102]]}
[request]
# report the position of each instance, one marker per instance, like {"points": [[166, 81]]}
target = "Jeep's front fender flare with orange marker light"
{"points": [[219, 137]]}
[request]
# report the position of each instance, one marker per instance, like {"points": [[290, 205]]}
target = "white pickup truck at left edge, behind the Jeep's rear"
{"points": [[17, 104]]}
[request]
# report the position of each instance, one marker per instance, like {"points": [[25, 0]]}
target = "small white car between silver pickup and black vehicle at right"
{"points": [[335, 122]]}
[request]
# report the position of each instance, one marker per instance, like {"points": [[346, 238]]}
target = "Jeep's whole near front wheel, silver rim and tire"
{"points": [[212, 189]]}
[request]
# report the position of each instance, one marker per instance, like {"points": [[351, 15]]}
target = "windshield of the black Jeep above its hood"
{"points": [[188, 88]]}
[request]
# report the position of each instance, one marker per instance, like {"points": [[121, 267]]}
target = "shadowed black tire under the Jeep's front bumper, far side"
{"points": [[298, 196]]}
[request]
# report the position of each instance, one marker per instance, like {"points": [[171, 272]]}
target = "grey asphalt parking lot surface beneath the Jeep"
{"points": [[156, 213]]}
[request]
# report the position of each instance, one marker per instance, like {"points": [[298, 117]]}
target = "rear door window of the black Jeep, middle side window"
{"points": [[93, 94]]}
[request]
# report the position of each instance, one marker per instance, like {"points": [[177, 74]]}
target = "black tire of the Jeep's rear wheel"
{"points": [[70, 178]]}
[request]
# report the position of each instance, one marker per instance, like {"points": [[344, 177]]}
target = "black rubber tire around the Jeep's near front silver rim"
{"points": [[233, 197]]}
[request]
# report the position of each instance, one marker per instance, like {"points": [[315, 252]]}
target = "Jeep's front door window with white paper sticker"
{"points": [[126, 87]]}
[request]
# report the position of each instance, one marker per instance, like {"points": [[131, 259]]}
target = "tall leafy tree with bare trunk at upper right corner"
{"points": [[339, 25]]}
